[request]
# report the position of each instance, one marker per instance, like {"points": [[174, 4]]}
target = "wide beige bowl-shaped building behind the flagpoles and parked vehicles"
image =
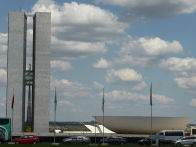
{"points": [[142, 124]]}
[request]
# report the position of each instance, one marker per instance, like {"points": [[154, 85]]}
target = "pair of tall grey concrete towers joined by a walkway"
{"points": [[38, 77]]}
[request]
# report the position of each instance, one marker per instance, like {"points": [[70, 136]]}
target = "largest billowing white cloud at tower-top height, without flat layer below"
{"points": [[83, 19]]}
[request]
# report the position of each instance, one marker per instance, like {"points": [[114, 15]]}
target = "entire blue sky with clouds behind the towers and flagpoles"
{"points": [[119, 45]]}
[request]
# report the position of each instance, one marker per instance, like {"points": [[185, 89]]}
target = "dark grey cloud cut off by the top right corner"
{"points": [[153, 9]]}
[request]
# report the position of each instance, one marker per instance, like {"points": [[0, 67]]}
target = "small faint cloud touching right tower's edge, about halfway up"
{"points": [[61, 66]]}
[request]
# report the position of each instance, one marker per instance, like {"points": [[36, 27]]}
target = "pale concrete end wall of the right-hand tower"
{"points": [[41, 68]]}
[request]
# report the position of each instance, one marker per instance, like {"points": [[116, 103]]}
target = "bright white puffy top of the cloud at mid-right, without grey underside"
{"points": [[151, 47]]}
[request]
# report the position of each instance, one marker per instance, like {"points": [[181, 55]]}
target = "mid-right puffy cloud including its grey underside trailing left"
{"points": [[145, 52]]}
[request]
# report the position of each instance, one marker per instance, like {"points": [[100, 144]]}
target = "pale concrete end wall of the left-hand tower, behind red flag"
{"points": [[16, 64]]}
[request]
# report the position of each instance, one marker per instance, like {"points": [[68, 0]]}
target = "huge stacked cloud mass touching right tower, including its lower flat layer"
{"points": [[80, 30]]}
